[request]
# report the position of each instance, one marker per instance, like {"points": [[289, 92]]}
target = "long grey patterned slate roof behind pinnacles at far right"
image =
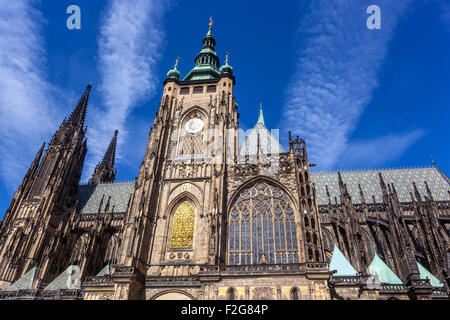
{"points": [[401, 178]]}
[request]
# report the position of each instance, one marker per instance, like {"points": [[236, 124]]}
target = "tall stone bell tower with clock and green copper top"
{"points": [[174, 216]]}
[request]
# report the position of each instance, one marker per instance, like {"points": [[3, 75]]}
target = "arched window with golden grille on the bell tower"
{"points": [[183, 226]]}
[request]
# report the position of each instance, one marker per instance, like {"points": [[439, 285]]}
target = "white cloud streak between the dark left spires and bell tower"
{"points": [[129, 47]]}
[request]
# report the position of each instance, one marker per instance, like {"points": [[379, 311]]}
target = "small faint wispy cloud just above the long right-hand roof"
{"points": [[376, 152]]}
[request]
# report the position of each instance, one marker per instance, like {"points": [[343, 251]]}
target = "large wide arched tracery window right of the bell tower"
{"points": [[262, 227]]}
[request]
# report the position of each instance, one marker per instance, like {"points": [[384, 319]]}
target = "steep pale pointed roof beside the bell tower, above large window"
{"points": [[268, 143]]}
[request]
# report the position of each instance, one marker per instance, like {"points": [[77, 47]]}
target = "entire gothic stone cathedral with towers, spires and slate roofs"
{"points": [[211, 218]]}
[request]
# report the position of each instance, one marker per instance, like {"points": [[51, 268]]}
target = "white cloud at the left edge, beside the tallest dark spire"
{"points": [[27, 111]]}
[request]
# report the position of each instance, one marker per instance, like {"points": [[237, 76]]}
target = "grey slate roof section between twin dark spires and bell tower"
{"points": [[90, 197]]}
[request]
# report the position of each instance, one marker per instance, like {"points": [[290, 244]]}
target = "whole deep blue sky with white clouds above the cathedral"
{"points": [[361, 98]]}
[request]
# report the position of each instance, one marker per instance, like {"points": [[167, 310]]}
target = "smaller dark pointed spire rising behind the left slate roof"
{"points": [[105, 172]]}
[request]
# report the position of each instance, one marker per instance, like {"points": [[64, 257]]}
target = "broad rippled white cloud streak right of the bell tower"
{"points": [[337, 70]]}
